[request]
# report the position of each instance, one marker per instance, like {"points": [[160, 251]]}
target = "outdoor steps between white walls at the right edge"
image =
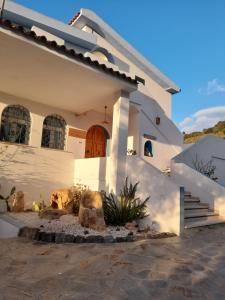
{"points": [[198, 214]]}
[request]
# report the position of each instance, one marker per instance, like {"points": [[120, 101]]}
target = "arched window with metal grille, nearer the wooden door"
{"points": [[53, 133]]}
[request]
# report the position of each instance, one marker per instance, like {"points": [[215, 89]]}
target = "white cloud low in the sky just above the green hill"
{"points": [[202, 119]]}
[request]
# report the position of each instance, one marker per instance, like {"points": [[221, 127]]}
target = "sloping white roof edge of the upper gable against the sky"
{"points": [[90, 18]]}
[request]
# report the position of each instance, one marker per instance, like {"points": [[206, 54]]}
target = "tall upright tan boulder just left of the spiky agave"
{"points": [[91, 212]]}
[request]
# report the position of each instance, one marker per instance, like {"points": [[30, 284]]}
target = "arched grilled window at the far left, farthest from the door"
{"points": [[15, 124]]}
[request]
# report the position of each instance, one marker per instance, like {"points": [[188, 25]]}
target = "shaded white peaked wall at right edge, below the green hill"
{"points": [[208, 148]]}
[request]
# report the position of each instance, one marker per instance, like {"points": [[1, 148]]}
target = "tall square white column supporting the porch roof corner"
{"points": [[118, 152]]}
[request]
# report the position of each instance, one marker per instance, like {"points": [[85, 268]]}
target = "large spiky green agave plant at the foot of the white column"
{"points": [[126, 208]]}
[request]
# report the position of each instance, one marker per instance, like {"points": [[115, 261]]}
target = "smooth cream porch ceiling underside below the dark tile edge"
{"points": [[46, 74]]}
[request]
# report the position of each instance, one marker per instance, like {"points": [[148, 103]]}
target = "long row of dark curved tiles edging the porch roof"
{"points": [[29, 34]]}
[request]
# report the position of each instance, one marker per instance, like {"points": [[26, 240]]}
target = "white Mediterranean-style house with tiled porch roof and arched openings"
{"points": [[77, 102]]}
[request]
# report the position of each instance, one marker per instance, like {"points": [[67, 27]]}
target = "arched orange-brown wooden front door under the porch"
{"points": [[96, 142]]}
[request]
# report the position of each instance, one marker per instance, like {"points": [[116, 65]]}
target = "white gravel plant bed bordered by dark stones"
{"points": [[66, 229]]}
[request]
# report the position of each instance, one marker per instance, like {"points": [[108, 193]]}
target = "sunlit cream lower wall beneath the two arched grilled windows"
{"points": [[35, 171]]}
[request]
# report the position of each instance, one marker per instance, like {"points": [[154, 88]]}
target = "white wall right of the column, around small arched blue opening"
{"points": [[169, 140]]}
